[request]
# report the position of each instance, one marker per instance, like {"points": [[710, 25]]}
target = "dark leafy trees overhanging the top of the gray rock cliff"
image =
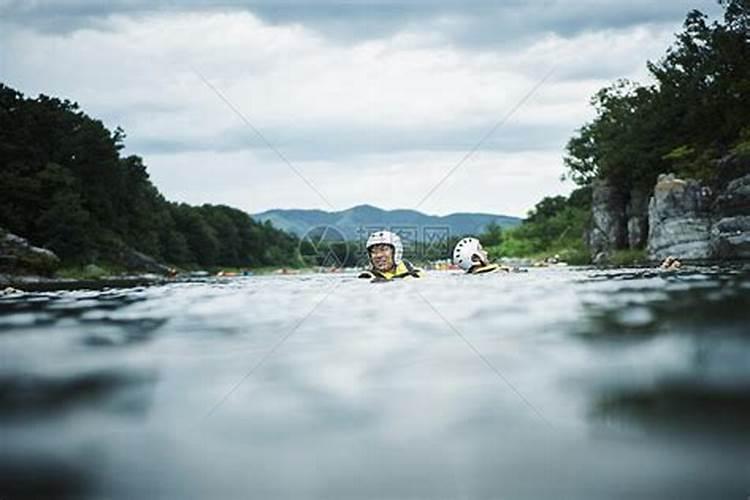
{"points": [[696, 112]]}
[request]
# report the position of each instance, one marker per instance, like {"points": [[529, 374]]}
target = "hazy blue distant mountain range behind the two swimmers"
{"points": [[362, 219]]}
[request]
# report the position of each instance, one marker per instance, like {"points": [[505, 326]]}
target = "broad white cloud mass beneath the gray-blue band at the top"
{"points": [[137, 71]]}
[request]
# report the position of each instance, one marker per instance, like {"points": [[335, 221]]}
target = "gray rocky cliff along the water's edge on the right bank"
{"points": [[682, 217]]}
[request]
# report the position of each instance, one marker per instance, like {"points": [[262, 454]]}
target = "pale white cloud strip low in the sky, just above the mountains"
{"points": [[492, 182]]}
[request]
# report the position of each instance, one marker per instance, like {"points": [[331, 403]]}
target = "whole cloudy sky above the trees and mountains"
{"points": [[330, 104]]}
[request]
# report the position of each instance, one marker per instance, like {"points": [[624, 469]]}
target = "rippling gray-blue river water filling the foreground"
{"points": [[556, 383]]}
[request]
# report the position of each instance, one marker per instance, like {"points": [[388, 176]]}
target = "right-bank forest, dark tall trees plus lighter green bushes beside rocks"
{"points": [[693, 120]]}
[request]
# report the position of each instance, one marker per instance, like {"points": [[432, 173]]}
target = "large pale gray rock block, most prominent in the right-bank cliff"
{"points": [[679, 220]]}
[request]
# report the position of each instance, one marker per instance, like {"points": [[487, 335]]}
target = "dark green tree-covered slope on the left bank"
{"points": [[64, 186]]}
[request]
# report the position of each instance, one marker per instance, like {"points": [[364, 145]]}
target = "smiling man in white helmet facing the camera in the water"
{"points": [[385, 253]]}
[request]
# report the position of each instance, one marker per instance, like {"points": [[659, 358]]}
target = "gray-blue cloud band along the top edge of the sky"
{"points": [[476, 24]]}
